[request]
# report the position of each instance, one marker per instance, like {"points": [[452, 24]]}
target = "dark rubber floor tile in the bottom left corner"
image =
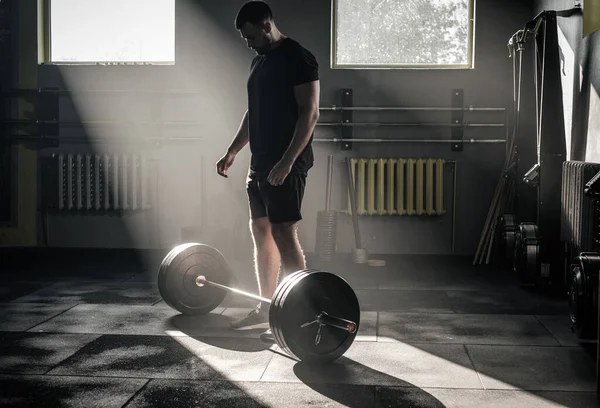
{"points": [[51, 392]]}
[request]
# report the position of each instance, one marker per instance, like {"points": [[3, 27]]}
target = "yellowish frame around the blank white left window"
{"points": [[45, 42]]}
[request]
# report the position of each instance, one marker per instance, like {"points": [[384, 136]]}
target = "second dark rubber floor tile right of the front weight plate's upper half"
{"points": [[512, 302]]}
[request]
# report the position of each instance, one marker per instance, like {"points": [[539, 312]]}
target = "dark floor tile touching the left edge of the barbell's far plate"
{"points": [[95, 293]]}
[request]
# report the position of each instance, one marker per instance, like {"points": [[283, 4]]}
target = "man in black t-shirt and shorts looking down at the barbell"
{"points": [[283, 109]]}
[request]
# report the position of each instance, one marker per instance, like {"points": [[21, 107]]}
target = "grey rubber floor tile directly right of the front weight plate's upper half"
{"points": [[419, 301]]}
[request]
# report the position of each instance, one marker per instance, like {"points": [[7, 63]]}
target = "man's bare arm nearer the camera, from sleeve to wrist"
{"points": [[307, 97]]}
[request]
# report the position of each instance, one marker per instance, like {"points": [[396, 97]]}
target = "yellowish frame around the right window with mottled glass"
{"points": [[469, 65]]}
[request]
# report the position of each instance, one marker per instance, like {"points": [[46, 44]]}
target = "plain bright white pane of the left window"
{"points": [[104, 31]]}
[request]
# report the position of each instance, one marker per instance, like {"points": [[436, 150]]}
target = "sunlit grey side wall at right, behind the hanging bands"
{"points": [[582, 89]]}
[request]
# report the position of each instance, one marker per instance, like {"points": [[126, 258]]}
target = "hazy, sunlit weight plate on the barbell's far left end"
{"points": [[177, 278]]}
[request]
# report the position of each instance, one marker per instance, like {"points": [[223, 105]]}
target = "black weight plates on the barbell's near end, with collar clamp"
{"points": [[302, 301]]}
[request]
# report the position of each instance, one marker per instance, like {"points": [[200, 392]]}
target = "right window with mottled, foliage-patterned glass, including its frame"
{"points": [[402, 33]]}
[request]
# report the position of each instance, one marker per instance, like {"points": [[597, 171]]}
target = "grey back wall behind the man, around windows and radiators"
{"points": [[212, 58]]}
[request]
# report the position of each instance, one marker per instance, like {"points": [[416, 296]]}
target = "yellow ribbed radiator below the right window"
{"points": [[398, 186]]}
